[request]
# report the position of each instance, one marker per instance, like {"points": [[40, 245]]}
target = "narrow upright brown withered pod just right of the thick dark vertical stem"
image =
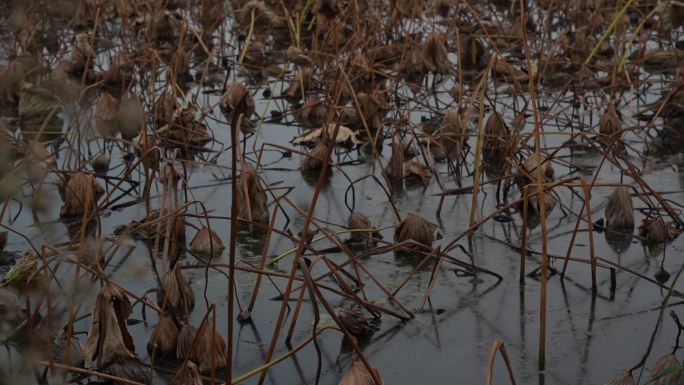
{"points": [[253, 198]]}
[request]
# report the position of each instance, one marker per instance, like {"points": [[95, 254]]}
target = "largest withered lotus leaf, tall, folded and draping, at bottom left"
{"points": [[108, 338]]}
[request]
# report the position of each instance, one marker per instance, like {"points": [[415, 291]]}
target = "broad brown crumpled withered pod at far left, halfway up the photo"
{"points": [[81, 193]]}
